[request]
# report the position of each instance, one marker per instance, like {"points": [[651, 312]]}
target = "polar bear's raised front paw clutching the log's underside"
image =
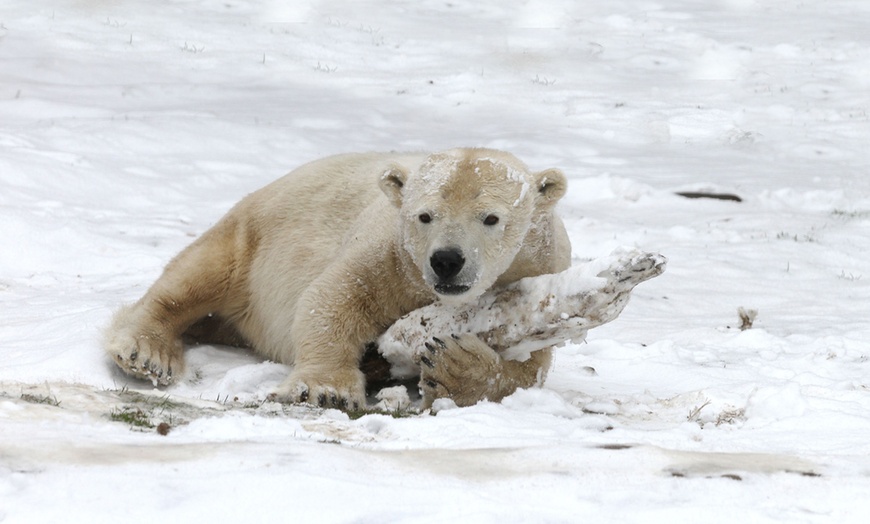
{"points": [[461, 368]]}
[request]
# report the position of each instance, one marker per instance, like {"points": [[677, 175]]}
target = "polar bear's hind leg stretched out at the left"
{"points": [[144, 339]]}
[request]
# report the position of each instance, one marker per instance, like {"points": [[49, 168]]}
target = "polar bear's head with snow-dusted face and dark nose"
{"points": [[466, 213]]}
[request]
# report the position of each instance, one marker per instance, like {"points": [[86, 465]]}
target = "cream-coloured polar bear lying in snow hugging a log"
{"points": [[311, 268]]}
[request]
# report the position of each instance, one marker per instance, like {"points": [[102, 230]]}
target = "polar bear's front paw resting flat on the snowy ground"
{"points": [[341, 390]]}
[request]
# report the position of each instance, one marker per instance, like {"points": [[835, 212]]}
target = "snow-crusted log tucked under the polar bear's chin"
{"points": [[527, 315]]}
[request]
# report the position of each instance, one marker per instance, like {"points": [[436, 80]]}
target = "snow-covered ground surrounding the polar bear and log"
{"points": [[128, 127]]}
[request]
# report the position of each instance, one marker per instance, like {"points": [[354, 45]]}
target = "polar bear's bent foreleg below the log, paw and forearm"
{"points": [[467, 371]]}
